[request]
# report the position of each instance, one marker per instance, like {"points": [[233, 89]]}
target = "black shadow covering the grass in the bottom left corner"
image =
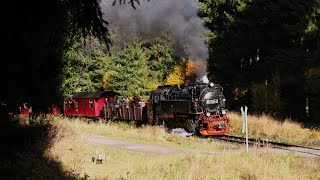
{"points": [[22, 154]]}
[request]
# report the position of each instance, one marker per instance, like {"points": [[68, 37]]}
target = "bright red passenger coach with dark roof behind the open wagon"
{"points": [[86, 104]]}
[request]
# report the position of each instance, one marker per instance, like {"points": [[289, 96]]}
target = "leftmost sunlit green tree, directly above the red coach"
{"points": [[85, 64]]}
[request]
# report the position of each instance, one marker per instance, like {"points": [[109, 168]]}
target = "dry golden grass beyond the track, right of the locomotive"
{"points": [[267, 127]]}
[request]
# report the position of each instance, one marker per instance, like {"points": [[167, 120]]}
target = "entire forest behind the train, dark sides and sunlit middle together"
{"points": [[265, 53]]}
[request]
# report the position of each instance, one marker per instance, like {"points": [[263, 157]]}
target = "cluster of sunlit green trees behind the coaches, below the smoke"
{"points": [[131, 67]]}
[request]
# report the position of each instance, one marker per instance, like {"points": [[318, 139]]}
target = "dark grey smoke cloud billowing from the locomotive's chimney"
{"points": [[176, 18]]}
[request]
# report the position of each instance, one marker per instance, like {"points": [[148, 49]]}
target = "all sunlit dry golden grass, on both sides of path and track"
{"points": [[71, 149]]}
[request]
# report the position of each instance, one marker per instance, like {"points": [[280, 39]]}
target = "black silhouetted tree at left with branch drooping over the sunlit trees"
{"points": [[35, 36]]}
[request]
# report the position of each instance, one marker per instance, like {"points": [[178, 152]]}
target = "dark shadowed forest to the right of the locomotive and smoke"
{"points": [[267, 54]]}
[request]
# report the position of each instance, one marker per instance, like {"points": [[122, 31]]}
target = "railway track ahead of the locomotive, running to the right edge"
{"points": [[311, 151]]}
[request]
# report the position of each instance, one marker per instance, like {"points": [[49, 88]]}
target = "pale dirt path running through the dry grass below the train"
{"points": [[158, 149]]}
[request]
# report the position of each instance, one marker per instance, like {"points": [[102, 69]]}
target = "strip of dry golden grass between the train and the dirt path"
{"points": [[145, 134]]}
